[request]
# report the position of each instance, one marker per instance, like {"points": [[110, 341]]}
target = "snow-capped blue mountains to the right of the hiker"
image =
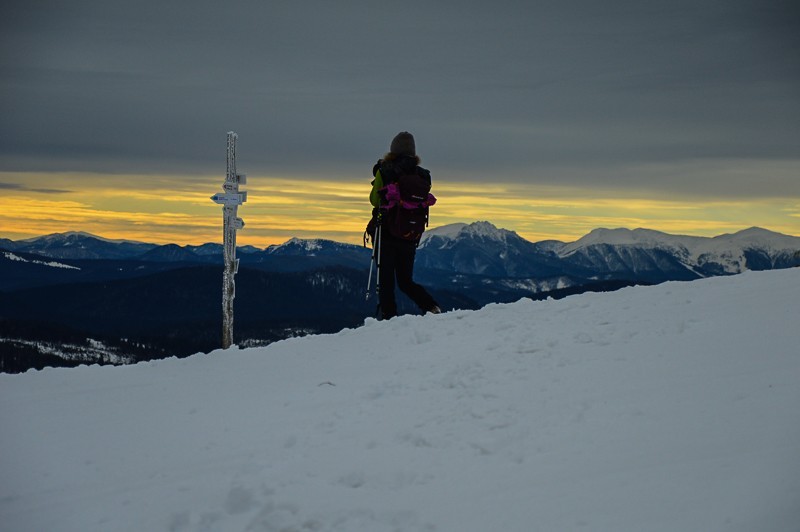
{"points": [[639, 254]]}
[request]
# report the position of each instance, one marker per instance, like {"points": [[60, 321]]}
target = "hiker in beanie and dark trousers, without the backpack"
{"points": [[397, 254]]}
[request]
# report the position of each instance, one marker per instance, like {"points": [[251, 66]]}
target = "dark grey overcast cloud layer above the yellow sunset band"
{"points": [[676, 97]]}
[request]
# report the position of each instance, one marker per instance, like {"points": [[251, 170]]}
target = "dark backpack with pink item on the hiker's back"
{"points": [[405, 199]]}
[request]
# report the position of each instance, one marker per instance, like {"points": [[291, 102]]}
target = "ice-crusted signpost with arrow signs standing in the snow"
{"points": [[230, 200]]}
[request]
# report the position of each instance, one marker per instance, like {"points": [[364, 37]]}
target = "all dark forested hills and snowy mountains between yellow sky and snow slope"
{"points": [[124, 300]]}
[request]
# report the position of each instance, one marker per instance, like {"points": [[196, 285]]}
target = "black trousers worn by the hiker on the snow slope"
{"points": [[397, 262]]}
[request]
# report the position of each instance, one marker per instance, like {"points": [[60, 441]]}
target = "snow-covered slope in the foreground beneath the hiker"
{"points": [[665, 408]]}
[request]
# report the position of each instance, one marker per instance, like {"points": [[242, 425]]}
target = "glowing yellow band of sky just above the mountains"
{"points": [[136, 208]]}
